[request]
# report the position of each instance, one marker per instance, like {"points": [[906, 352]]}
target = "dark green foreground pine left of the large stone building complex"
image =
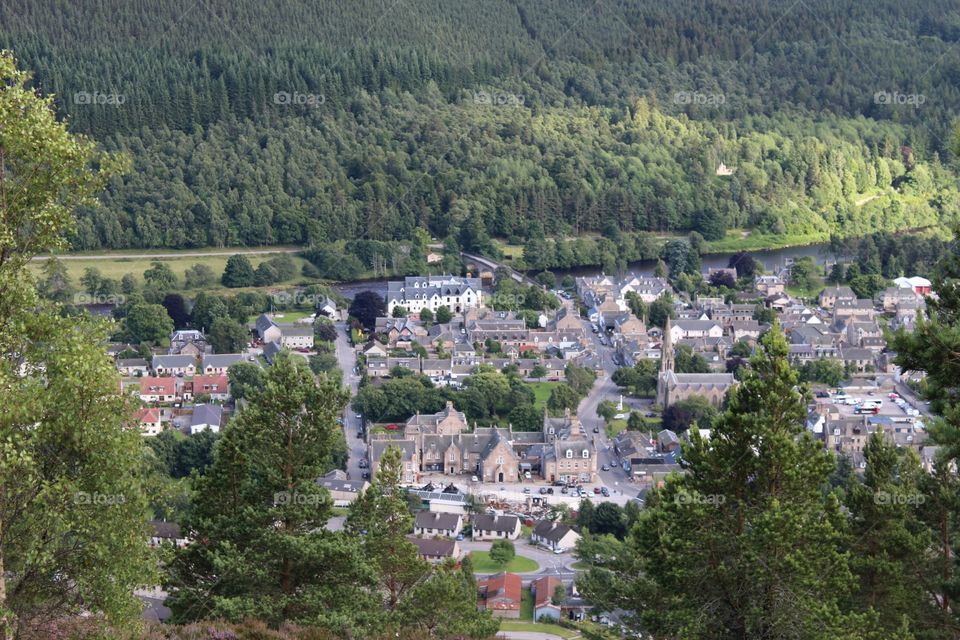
{"points": [[261, 548]]}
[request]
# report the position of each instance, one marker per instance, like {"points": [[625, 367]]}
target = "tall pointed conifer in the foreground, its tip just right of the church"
{"points": [[745, 544]]}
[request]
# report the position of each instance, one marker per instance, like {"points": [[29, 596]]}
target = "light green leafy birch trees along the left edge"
{"points": [[72, 510]]}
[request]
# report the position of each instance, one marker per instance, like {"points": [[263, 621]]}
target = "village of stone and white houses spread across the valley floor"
{"points": [[476, 485]]}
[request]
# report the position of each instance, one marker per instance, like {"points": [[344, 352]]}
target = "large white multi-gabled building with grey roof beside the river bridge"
{"points": [[416, 293]]}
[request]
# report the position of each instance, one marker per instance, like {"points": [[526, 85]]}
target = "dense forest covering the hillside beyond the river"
{"points": [[307, 122]]}
